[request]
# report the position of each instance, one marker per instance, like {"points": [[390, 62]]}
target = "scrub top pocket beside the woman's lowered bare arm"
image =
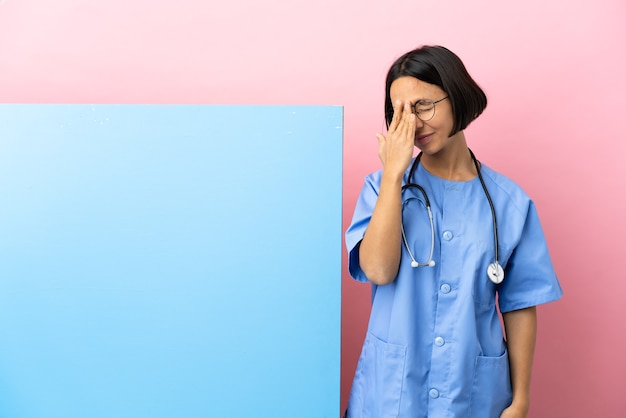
{"points": [[491, 387]]}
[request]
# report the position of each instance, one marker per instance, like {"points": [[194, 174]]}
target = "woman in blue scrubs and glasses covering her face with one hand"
{"points": [[446, 242]]}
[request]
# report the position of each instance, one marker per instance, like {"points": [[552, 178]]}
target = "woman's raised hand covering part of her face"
{"points": [[396, 149]]}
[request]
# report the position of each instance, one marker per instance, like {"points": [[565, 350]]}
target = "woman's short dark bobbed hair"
{"points": [[440, 66]]}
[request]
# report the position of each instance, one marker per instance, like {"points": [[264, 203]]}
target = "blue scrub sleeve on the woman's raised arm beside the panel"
{"points": [[360, 221]]}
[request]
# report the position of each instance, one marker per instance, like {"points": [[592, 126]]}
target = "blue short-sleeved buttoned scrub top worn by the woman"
{"points": [[434, 345]]}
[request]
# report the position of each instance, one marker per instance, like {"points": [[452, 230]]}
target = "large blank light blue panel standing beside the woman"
{"points": [[170, 261]]}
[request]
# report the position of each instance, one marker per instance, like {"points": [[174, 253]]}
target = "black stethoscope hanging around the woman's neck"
{"points": [[494, 270]]}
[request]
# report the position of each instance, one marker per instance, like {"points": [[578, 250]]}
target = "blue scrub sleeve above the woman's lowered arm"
{"points": [[529, 279]]}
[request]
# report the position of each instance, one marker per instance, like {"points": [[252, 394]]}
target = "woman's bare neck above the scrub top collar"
{"points": [[454, 162]]}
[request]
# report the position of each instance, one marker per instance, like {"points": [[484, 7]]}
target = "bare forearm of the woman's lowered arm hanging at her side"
{"points": [[521, 333]]}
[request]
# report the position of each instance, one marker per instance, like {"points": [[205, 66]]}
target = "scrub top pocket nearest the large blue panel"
{"points": [[377, 389]]}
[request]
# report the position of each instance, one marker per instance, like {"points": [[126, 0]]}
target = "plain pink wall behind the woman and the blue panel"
{"points": [[553, 72]]}
